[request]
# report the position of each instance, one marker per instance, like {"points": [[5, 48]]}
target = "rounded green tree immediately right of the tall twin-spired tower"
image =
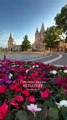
{"points": [[51, 37]]}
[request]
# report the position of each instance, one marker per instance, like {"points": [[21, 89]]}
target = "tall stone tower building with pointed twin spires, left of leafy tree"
{"points": [[38, 43]]}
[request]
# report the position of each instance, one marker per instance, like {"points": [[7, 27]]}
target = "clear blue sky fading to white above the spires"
{"points": [[21, 17]]}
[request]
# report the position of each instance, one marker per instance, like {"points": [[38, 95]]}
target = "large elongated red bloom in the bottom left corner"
{"points": [[3, 111]]}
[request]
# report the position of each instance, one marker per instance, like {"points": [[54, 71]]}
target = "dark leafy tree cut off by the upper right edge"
{"points": [[61, 18]]}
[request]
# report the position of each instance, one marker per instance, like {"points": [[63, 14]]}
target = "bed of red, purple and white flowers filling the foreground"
{"points": [[32, 91]]}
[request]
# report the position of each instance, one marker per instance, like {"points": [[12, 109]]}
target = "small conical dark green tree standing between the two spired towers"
{"points": [[25, 44]]}
